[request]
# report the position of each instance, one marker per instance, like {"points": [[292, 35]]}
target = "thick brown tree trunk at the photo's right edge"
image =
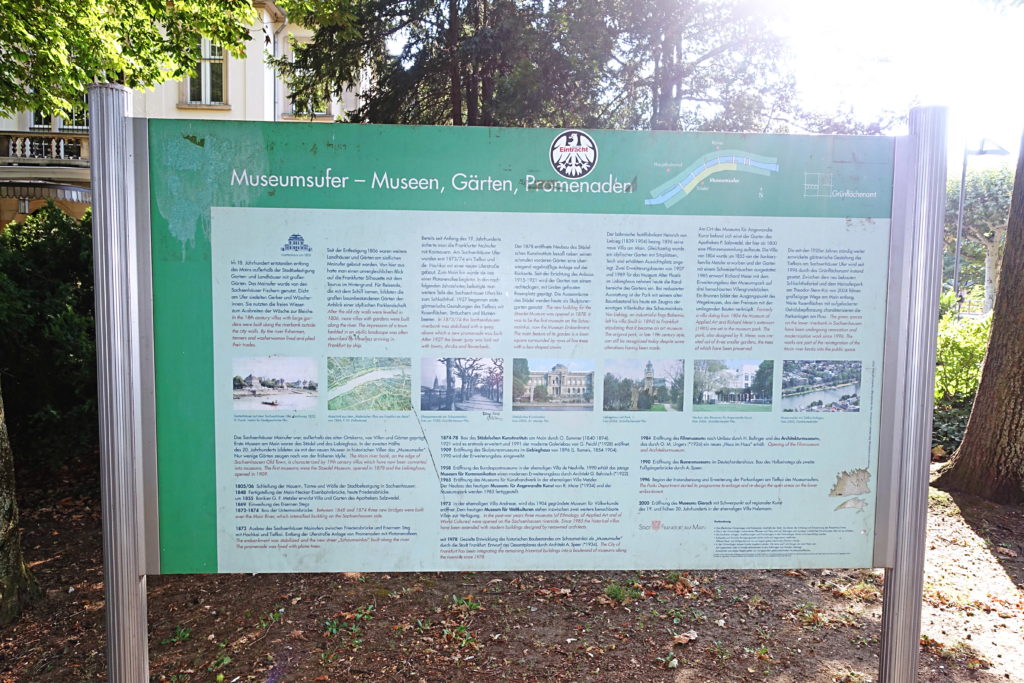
{"points": [[991, 460]]}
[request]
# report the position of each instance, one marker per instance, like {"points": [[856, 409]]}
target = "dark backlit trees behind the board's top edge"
{"points": [[711, 65]]}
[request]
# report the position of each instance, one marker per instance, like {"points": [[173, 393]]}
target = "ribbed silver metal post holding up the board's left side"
{"points": [[116, 275]]}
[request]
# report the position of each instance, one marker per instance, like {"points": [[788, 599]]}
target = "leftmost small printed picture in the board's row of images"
{"points": [[275, 383]]}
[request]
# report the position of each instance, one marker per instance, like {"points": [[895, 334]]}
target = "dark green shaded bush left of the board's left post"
{"points": [[48, 349]]}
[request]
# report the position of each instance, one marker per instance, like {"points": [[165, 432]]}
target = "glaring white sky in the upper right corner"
{"points": [[875, 56]]}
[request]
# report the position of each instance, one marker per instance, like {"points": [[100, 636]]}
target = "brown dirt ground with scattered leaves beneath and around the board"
{"points": [[804, 626]]}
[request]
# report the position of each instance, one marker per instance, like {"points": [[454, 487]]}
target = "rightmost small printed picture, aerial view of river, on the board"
{"points": [[822, 387]]}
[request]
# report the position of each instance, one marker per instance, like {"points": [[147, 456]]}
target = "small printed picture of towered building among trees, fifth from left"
{"points": [[641, 386]]}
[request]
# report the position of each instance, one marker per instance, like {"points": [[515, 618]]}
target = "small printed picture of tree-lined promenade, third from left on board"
{"points": [[462, 385]]}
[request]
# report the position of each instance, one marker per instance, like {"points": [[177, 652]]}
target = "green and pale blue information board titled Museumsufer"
{"points": [[418, 349]]}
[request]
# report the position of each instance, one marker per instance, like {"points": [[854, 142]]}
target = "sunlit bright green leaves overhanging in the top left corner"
{"points": [[51, 52]]}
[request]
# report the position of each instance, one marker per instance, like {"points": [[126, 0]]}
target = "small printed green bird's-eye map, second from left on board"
{"points": [[369, 385]]}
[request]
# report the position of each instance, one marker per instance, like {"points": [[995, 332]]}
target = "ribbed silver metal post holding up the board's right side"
{"points": [[926, 210]]}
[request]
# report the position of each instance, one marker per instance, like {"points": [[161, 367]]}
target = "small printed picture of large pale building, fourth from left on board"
{"points": [[552, 385]]}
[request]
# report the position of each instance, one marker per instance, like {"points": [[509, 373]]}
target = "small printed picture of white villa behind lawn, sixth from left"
{"points": [[738, 387]]}
